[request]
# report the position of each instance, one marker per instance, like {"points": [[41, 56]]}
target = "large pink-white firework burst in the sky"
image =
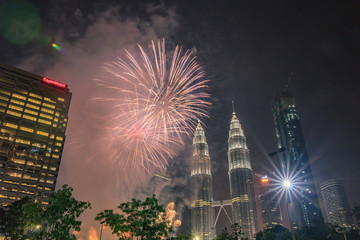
{"points": [[160, 99]]}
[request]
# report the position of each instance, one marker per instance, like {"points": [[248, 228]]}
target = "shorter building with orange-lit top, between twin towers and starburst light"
{"points": [[270, 204]]}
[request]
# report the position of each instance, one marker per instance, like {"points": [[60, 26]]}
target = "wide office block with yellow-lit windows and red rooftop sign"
{"points": [[33, 119]]}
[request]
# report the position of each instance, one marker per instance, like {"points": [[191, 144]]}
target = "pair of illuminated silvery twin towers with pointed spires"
{"points": [[241, 185]]}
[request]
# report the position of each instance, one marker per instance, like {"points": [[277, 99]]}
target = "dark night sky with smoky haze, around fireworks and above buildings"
{"points": [[248, 49]]}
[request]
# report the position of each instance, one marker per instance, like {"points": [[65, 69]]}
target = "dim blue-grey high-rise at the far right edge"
{"points": [[336, 203]]}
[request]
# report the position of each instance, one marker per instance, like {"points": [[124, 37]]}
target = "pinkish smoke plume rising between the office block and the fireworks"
{"points": [[86, 162]]}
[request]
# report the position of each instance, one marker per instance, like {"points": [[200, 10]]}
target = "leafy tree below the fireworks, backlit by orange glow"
{"points": [[138, 220]]}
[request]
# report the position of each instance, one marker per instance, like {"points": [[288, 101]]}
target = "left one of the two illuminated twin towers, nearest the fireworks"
{"points": [[202, 215]]}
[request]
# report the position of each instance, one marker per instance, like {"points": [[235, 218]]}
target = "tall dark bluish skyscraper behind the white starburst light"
{"points": [[306, 210]]}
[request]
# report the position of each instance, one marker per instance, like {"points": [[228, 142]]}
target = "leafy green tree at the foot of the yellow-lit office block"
{"points": [[25, 219]]}
